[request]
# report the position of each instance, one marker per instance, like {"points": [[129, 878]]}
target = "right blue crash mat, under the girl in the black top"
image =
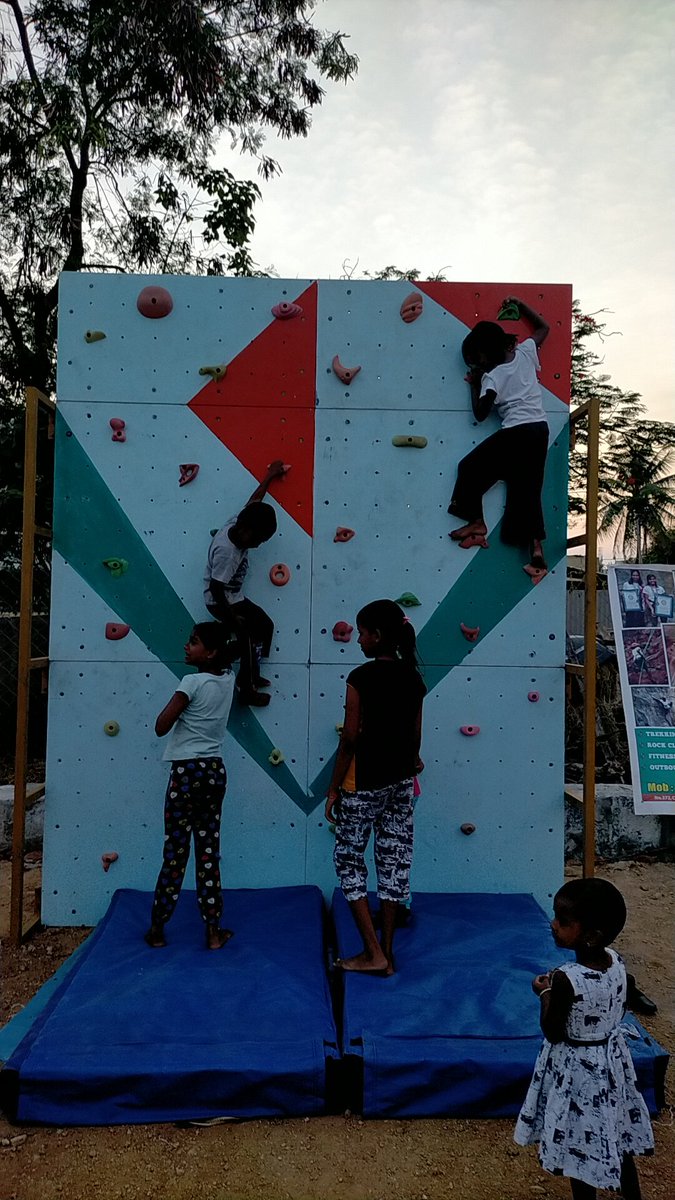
{"points": [[456, 1031]]}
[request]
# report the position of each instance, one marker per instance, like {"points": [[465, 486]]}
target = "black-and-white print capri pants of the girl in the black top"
{"points": [[389, 812]]}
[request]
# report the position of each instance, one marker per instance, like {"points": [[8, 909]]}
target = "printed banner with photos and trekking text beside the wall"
{"points": [[643, 614]]}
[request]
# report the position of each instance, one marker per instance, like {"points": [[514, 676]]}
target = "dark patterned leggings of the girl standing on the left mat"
{"points": [[193, 808]]}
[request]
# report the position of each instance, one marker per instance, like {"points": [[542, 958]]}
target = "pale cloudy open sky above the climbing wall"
{"points": [[498, 141]]}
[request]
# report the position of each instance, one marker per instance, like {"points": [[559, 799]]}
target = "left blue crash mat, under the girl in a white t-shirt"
{"points": [[135, 1035]]}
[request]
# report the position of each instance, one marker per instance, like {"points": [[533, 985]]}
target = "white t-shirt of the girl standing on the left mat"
{"points": [[201, 728]]}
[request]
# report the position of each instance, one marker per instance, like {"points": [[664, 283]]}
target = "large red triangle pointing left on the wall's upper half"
{"points": [[265, 407]]}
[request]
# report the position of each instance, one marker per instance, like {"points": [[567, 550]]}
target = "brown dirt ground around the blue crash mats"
{"points": [[328, 1159]]}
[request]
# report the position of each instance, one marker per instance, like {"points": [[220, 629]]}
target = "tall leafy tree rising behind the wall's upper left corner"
{"points": [[110, 118]]}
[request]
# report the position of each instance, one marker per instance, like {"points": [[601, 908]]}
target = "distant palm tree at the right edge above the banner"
{"points": [[642, 505]]}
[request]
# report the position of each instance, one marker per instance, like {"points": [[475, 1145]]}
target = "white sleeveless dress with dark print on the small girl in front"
{"points": [[583, 1105]]}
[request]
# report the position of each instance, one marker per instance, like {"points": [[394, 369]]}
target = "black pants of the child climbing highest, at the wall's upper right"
{"points": [[518, 457]]}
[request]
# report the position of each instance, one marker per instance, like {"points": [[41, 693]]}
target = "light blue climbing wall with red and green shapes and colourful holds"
{"points": [[162, 376]]}
